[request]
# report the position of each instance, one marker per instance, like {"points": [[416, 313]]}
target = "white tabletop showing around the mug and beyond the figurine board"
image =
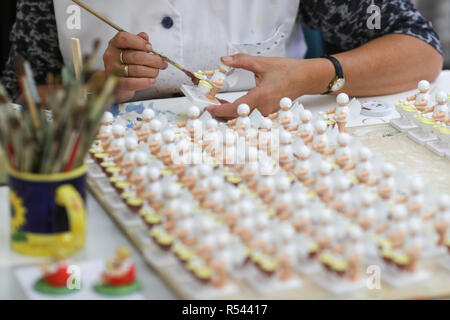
{"points": [[103, 236]]}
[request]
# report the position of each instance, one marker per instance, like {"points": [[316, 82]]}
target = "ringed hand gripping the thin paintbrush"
{"points": [[143, 67]]}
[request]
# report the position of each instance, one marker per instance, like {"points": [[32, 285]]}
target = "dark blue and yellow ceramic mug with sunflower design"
{"points": [[47, 212]]}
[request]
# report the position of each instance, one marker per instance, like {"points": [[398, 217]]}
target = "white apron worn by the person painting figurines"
{"points": [[202, 32]]}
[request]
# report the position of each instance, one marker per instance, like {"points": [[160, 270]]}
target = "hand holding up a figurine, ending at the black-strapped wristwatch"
{"points": [[276, 78]]}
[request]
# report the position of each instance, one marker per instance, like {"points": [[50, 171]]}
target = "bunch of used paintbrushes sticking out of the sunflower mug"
{"points": [[31, 143]]}
